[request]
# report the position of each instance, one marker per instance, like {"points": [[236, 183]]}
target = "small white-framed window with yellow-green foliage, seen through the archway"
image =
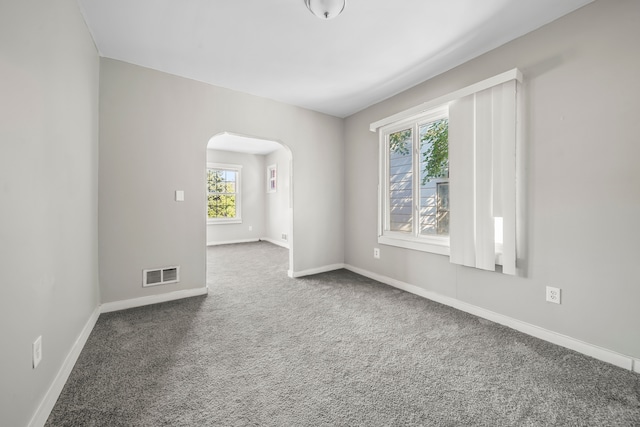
{"points": [[223, 193]]}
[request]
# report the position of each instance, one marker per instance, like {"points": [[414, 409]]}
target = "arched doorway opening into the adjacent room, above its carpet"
{"points": [[249, 191]]}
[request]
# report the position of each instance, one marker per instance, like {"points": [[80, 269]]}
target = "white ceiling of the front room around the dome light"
{"points": [[277, 49]]}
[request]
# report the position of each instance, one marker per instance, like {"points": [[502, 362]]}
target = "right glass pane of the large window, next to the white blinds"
{"points": [[434, 174]]}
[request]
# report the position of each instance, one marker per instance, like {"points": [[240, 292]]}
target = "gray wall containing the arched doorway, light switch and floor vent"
{"points": [[154, 130]]}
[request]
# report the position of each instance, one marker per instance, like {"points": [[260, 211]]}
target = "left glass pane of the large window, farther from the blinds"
{"points": [[400, 181]]}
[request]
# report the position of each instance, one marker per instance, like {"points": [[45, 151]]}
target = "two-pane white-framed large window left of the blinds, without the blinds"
{"points": [[416, 182]]}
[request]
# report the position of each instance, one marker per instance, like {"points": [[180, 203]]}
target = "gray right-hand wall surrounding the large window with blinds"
{"points": [[582, 195]]}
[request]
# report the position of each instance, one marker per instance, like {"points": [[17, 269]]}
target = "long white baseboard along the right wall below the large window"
{"points": [[594, 351]]}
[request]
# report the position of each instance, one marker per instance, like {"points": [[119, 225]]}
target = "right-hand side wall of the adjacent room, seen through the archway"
{"points": [[277, 204]]}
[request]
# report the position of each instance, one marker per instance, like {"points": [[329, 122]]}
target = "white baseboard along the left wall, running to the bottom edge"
{"points": [[48, 402]]}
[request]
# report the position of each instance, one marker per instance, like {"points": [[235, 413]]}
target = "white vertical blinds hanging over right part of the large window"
{"points": [[482, 157]]}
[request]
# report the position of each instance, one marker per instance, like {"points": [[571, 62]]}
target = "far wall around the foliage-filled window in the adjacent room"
{"points": [[252, 195]]}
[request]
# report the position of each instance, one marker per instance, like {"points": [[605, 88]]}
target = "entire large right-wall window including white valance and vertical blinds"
{"points": [[448, 175]]}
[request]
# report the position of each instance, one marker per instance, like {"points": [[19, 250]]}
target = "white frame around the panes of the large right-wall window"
{"points": [[413, 240]]}
